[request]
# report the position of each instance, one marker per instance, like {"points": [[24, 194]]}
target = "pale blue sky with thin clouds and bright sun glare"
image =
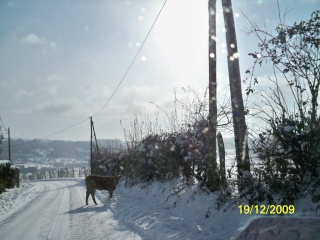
{"points": [[61, 61]]}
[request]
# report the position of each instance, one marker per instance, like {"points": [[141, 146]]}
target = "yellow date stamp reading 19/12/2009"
{"points": [[266, 209]]}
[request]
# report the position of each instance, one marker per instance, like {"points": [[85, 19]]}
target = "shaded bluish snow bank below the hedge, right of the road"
{"points": [[172, 211]]}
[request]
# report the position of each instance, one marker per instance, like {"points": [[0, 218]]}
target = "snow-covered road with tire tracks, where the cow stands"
{"points": [[59, 212]]}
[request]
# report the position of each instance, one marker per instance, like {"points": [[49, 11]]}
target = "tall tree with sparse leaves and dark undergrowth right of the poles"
{"points": [[289, 146]]}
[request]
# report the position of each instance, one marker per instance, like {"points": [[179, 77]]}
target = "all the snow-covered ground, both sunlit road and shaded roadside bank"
{"points": [[55, 209]]}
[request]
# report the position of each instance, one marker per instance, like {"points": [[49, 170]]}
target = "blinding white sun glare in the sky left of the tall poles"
{"points": [[182, 35]]}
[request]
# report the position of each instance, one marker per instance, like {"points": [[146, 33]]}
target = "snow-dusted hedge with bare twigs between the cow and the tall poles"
{"points": [[155, 152]]}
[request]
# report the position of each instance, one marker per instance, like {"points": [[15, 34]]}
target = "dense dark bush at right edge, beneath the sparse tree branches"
{"points": [[289, 154]]}
